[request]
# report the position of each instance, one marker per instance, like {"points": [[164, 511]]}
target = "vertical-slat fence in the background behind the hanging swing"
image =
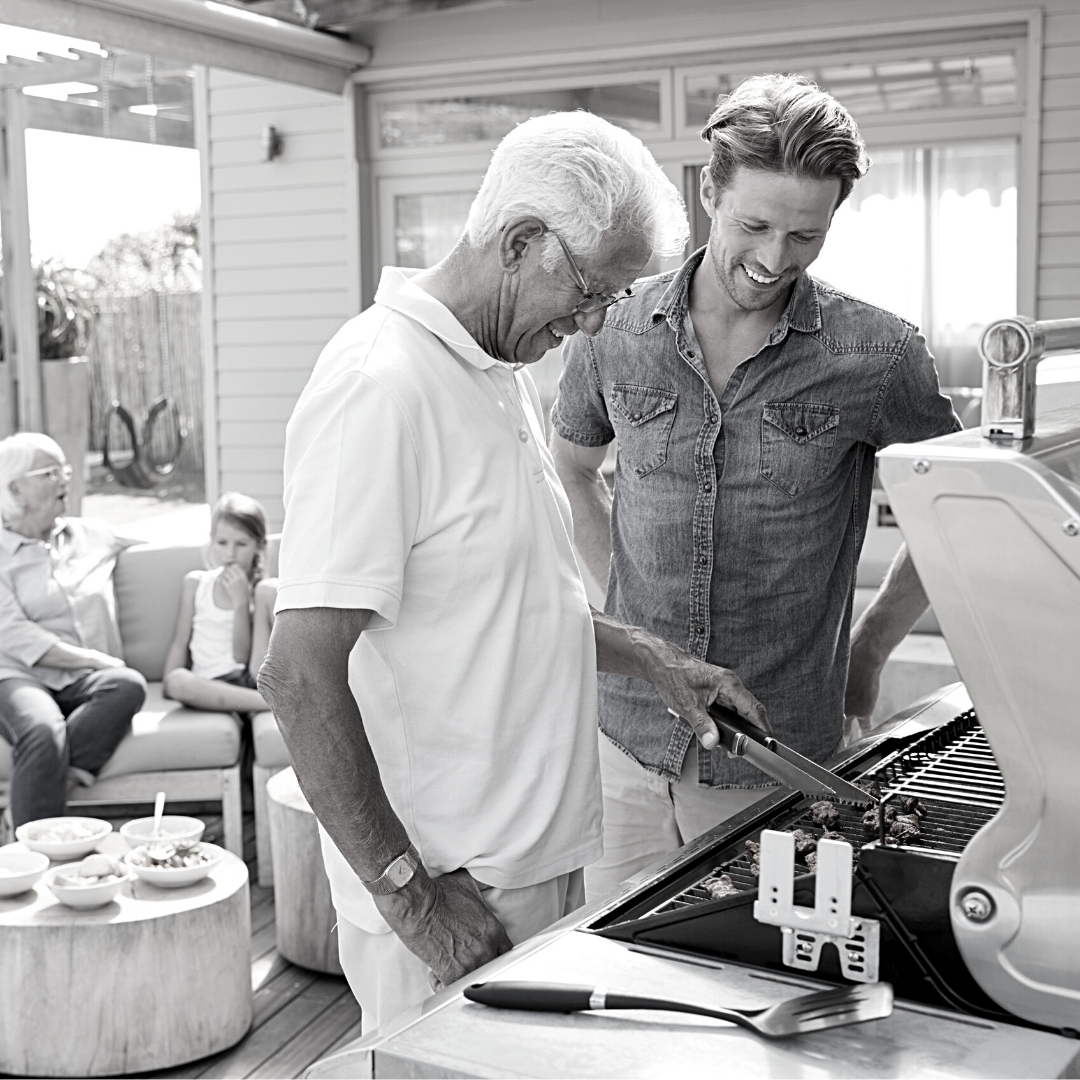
{"points": [[144, 347]]}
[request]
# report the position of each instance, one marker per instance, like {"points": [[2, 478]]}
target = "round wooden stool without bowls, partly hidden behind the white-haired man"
{"points": [[302, 892]]}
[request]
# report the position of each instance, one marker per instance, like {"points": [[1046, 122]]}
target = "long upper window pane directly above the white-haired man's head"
{"points": [[488, 118]]}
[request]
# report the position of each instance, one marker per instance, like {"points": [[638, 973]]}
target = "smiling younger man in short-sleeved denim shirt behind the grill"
{"points": [[749, 401]]}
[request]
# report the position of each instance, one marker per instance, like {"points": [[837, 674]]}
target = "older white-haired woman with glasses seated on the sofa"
{"points": [[66, 698]]}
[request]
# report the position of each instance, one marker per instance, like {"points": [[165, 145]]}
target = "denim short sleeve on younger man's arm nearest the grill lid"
{"points": [[911, 406]]}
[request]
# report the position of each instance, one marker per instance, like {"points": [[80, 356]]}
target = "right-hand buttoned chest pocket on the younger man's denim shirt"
{"points": [[798, 444]]}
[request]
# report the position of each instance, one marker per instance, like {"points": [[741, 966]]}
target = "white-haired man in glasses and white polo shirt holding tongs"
{"points": [[434, 658]]}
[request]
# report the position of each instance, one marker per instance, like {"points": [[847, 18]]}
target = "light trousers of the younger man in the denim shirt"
{"points": [[647, 818]]}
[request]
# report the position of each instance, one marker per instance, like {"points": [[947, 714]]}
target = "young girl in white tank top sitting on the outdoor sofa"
{"points": [[226, 615]]}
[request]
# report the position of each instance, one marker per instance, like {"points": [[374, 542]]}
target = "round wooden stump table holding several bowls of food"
{"points": [[155, 979]]}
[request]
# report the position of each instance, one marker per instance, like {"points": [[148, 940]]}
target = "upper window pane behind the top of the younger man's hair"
{"points": [[952, 83]]}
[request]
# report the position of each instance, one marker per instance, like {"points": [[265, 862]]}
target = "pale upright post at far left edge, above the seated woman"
{"points": [[20, 295]]}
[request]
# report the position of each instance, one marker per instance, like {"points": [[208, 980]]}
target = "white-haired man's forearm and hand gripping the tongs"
{"points": [[686, 685]]}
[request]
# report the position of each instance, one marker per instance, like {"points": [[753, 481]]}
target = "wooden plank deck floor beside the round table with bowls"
{"points": [[300, 1016]]}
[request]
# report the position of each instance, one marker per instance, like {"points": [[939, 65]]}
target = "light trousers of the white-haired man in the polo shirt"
{"points": [[387, 979]]}
